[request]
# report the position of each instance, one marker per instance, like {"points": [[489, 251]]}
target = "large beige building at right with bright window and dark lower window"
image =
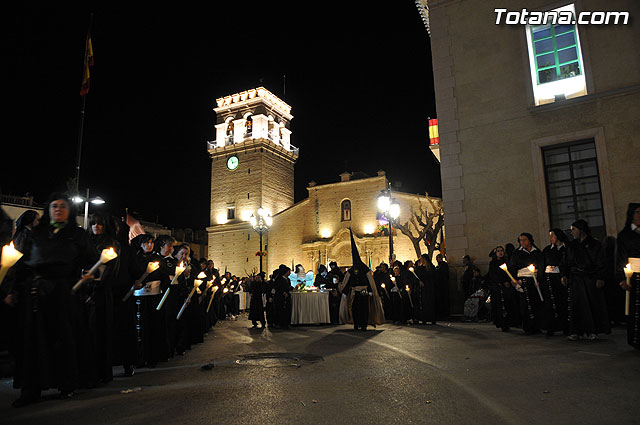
{"points": [[538, 125]]}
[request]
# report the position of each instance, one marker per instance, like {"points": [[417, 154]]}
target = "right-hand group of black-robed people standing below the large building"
{"points": [[576, 286]]}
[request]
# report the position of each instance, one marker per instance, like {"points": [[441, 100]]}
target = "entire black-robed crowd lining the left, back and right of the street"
{"points": [[124, 316]]}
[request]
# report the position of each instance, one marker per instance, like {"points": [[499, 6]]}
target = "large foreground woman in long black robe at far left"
{"points": [[46, 354]]}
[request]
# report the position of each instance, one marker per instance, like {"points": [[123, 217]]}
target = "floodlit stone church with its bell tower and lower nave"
{"points": [[252, 167]]}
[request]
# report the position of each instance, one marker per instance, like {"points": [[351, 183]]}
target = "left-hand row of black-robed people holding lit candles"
{"points": [[67, 340]]}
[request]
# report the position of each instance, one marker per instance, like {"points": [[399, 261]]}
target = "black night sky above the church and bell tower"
{"points": [[358, 78]]}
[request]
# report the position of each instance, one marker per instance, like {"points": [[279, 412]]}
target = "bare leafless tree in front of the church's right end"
{"points": [[424, 226]]}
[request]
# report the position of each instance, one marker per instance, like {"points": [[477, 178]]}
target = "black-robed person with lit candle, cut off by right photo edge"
{"points": [[628, 253]]}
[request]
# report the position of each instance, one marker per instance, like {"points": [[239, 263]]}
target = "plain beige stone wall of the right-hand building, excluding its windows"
{"points": [[491, 134]]}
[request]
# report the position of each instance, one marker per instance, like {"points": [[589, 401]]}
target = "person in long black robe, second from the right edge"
{"points": [[585, 274]]}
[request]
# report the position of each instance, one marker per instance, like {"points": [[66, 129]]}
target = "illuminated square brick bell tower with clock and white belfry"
{"points": [[252, 163]]}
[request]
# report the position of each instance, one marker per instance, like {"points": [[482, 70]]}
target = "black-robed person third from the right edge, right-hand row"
{"points": [[554, 310]]}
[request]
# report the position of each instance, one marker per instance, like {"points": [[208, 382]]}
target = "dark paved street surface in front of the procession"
{"points": [[450, 373]]}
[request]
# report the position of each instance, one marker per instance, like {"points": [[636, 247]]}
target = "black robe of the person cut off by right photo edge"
{"points": [[628, 246]]}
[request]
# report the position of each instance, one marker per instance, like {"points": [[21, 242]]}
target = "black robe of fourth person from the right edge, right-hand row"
{"points": [[529, 299]]}
